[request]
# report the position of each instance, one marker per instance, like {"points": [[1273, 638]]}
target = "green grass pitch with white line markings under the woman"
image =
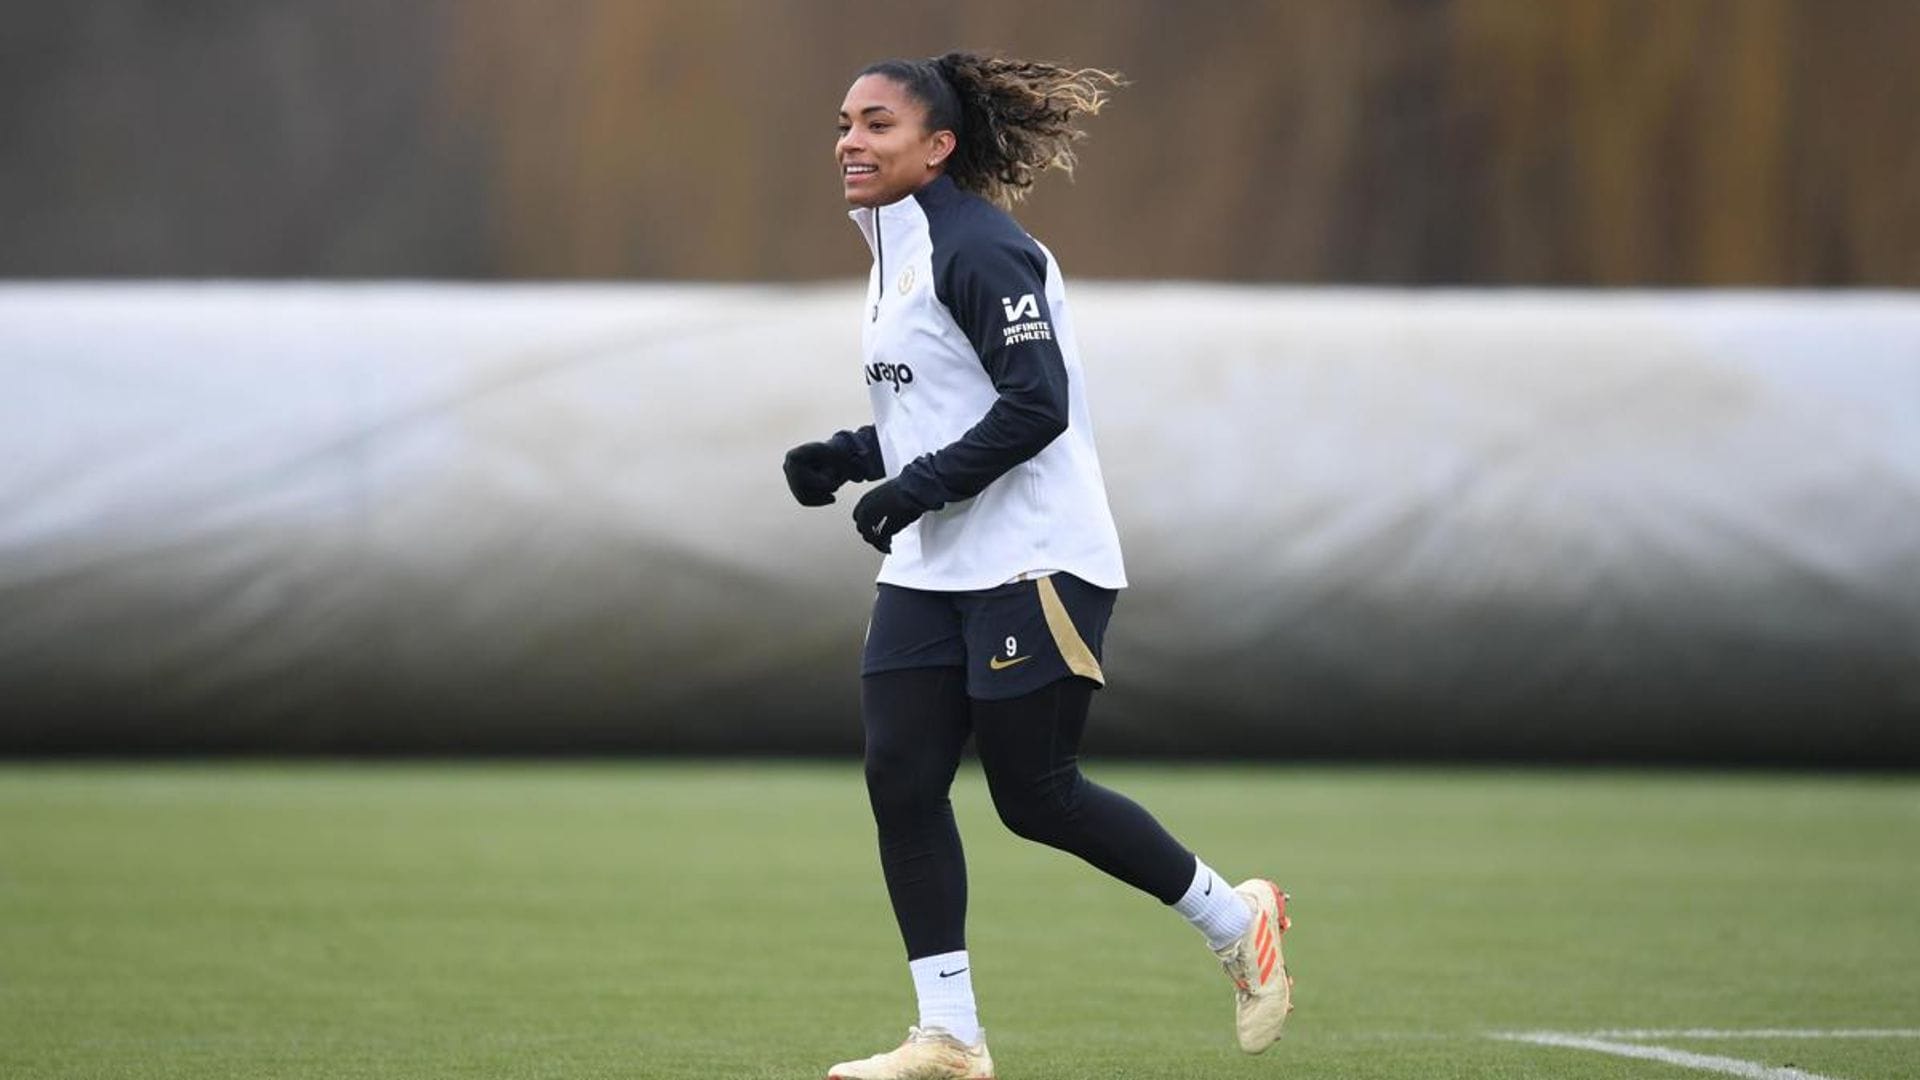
{"points": [[729, 921]]}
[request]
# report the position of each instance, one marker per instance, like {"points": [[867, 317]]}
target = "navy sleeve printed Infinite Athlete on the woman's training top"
{"points": [[994, 280]]}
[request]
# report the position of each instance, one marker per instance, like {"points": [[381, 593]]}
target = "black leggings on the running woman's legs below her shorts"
{"points": [[919, 722]]}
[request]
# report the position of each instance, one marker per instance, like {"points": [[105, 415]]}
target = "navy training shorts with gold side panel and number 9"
{"points": [[1011, 639]]}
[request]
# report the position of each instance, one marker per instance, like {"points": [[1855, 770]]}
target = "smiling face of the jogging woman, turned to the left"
{"points": [[886, 151]]}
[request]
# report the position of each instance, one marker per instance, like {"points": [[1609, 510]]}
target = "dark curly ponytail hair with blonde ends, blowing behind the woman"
{"points": [[1013, 118]]}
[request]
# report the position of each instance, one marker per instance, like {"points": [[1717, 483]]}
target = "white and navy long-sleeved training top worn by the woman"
{"points": [[980, 405]]}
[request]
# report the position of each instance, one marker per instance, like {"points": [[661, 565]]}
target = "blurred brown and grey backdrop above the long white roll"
{"points": [[1343, 141]]}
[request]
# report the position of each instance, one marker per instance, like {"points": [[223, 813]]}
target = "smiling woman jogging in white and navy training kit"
{"points": [[1003, 564]]}
